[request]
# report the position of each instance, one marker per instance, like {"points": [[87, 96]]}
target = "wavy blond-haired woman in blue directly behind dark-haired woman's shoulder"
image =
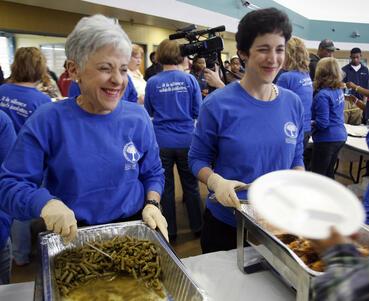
{"points": [[297, 79]]}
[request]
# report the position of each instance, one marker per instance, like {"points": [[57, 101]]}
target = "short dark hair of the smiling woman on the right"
{"points": [[260, 22]]}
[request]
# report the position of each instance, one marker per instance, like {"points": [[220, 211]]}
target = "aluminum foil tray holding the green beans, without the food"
{"points": [[176, 280]]}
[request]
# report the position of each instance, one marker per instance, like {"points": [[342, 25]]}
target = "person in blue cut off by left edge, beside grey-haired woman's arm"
{"points": [[7, 139]]}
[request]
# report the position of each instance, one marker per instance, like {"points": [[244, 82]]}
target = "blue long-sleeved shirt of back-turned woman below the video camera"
{"points": [[173, 98]]}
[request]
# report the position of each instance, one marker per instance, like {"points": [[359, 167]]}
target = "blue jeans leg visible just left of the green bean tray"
{"points": [[21, 240]]}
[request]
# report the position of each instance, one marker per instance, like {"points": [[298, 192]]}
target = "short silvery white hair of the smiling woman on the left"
{"points": [[92, 33]]}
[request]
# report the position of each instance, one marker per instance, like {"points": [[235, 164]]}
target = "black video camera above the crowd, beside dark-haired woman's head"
{"points": [[209, 48]]}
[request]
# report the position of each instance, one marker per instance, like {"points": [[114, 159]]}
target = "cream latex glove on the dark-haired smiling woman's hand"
{"points": [[224, 190]]}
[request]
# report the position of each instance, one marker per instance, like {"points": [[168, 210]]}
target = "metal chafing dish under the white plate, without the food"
{"points": [[284, 261]]}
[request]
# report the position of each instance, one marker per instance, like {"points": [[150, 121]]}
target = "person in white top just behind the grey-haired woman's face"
{"points": [[134, 72]]}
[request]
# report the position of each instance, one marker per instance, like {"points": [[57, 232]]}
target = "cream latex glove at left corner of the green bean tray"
{"points": [[60, 219]]}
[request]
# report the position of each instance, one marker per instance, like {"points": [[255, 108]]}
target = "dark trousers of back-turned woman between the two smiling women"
{"points": [[191, 195]]}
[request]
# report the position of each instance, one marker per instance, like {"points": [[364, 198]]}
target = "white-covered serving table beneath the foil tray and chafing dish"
{"points": [[216, 273]]}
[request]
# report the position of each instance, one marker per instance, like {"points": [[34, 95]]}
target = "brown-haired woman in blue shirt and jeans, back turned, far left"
{"points": [[19, 99]]}
